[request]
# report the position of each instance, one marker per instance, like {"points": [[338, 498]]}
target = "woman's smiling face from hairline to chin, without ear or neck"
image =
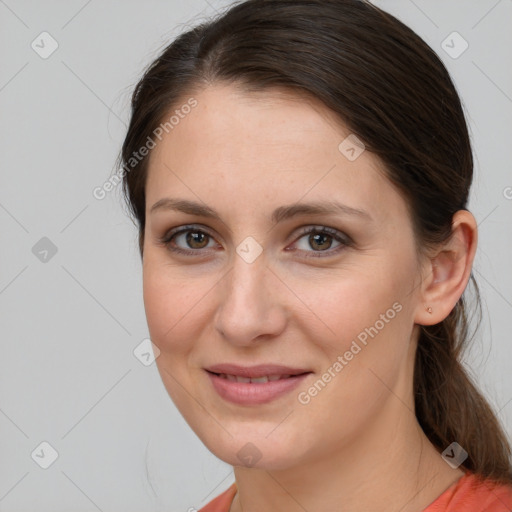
{"points": [[253, 285]]}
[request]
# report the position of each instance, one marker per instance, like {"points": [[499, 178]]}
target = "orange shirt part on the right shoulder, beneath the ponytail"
{"points": [[471, 493]]}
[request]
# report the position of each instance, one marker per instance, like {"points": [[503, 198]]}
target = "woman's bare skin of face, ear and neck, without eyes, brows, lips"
{"points": [[357, 444]]}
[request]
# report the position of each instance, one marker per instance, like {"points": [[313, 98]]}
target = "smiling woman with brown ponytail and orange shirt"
{"points": [[300, 188]]}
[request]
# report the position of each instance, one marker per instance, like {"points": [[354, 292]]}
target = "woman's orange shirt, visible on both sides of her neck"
{"points": [[468, 494]]}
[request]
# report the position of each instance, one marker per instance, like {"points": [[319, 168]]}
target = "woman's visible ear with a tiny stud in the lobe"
{"points": [[447, 271]]}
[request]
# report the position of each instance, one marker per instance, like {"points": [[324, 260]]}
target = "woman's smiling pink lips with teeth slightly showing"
{"points": [[255, 385]]}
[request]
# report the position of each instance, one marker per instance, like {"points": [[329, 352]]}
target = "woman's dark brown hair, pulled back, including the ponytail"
{"points": [[391, 89]]}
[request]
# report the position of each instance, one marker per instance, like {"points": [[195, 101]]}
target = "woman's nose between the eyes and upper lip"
{"points": [[250, 307]]}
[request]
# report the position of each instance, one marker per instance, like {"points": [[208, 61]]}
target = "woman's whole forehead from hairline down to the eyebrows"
{"points": [[265, 146]]}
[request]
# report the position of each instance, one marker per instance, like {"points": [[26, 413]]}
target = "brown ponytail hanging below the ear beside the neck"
{"points": [[449, 406]]}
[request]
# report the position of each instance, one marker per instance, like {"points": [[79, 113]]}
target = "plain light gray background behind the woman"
{"points": [[70, 324]]}
